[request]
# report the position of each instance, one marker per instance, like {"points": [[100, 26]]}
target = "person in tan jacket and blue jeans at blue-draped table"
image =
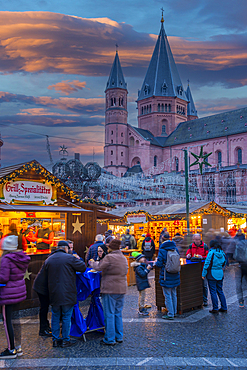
{"points": [[114, 268]]}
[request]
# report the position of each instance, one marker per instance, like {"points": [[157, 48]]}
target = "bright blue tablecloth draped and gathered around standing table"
{"points": [[87, 283]]}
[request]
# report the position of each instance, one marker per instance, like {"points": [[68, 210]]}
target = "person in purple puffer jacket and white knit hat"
{"points": [[14, 263]]}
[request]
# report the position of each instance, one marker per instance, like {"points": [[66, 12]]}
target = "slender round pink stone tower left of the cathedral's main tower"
{"points": [[116, 127]]}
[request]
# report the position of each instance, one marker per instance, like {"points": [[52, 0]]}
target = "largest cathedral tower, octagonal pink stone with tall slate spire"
{"points": [[162, 101]]}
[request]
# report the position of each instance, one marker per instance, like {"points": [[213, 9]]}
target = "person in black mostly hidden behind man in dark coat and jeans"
{"points": [[40, 286]]}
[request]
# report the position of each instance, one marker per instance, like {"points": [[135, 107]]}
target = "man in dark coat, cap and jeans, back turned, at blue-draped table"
{"points": [[61, 270]]}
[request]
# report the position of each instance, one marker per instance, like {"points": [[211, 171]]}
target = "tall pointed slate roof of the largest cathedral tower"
{"points": [[162, 78]]}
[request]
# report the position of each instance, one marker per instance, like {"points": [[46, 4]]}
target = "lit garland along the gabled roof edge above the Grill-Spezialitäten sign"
{"points": [[35, 166]]}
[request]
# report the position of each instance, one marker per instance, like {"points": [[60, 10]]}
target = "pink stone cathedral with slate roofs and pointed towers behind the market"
{"points": [[167, 124]]}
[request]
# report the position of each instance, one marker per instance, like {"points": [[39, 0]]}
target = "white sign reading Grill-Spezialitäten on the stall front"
{"points": [[28, 191]]}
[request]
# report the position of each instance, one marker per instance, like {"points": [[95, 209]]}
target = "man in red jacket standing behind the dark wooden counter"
{"points": [[199, 249]]}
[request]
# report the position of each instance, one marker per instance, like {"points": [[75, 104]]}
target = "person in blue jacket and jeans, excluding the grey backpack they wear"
{"points": [[168, 281]]}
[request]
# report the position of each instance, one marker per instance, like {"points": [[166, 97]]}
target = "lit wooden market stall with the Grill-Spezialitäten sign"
{"points": [[31, 197]]}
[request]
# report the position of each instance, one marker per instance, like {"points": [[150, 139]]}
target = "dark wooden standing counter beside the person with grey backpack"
{"points": [[189, 293]]}
